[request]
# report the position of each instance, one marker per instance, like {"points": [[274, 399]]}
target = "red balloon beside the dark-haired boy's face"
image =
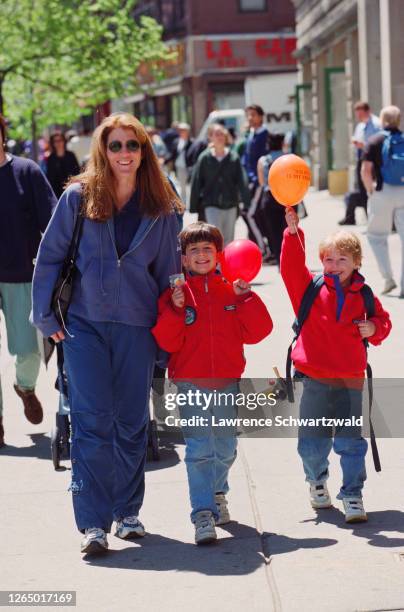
{"points": [[241, 259]]}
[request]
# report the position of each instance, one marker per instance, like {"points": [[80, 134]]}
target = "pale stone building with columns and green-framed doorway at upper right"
{"points": [[347, 50]]}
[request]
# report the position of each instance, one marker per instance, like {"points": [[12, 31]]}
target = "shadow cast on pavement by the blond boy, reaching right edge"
{"points": [[378, 522]]}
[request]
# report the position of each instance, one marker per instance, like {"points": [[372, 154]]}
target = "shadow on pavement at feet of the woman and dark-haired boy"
{"points": [[226, 557]]}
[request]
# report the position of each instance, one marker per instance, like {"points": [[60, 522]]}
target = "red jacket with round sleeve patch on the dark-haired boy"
{"points": [[206, 337]]}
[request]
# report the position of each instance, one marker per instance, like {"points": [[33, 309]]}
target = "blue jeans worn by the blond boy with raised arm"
{"points": [[314, 446]]}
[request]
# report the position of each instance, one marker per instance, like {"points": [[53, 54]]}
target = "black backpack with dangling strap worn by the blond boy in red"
{"points": [[309, 296]]}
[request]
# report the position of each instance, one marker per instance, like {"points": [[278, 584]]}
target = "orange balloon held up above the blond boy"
{"points": [[289, 179]]}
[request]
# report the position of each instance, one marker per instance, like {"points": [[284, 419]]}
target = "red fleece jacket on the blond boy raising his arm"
{"points": [[329, 345]]}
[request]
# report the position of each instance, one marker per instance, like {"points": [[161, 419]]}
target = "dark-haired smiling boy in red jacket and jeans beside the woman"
{"points": [[204, 324]]}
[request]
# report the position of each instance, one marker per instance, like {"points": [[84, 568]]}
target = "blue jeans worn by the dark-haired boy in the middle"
{"points": [[210, 451]]}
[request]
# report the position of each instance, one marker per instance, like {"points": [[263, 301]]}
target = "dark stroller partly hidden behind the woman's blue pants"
{"points": [[61, 430]]}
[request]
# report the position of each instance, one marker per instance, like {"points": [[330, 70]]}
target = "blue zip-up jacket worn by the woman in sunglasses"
{"points": [[107, 288]]}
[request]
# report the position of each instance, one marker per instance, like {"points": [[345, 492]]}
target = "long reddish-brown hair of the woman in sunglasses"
{"points": [[156, 195]]}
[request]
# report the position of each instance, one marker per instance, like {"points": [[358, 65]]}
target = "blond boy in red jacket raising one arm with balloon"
{"points": [[330, 357]]}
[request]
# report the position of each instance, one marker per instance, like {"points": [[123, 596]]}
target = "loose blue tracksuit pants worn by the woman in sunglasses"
{"points": [[109, 370]]}
